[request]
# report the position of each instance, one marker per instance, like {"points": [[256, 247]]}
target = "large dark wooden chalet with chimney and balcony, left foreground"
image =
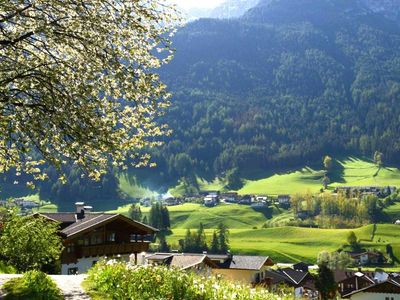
{"points": [[89, 237]]}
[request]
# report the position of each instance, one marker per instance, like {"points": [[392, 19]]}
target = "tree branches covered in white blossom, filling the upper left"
{"points": [[78, 82]]}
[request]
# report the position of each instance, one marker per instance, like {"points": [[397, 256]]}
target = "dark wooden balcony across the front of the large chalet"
{"points": [[114, 249]]}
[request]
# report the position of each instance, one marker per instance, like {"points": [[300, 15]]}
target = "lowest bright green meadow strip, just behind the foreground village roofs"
{"points": [[291, 244]]}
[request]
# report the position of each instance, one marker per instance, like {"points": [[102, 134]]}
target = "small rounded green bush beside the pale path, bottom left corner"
{"points": [[33, 285]]}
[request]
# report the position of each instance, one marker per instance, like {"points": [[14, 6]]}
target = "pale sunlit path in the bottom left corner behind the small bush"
{"points": [[70, 285]]}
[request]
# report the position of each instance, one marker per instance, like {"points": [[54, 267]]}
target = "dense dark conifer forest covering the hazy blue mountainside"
{"points": [[283, 85]]}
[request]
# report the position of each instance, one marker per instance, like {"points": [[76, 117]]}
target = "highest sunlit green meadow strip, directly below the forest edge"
{"points": [[347, 171]]}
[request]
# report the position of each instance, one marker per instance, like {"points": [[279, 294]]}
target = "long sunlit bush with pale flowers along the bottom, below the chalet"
{"points": [[118, 280]]}
